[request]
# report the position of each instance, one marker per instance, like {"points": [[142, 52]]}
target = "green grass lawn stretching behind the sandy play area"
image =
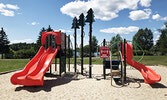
{"points": [[11, 64]]}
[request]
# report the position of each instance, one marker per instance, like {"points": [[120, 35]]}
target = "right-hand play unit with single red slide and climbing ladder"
{"points": [[126, 56]]}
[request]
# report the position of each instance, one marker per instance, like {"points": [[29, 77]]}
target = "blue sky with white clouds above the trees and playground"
{"points": [[23, 19]]}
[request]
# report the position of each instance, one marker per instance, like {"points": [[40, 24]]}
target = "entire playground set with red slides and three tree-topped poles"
{"points": [[56, 47]]}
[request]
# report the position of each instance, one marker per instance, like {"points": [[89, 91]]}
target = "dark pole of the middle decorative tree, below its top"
{"points": [[82, 29]]}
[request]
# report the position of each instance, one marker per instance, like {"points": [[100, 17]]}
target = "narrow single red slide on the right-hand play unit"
{"points": [[149, 75]]}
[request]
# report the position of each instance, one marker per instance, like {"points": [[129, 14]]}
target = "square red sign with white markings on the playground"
{"points": [[104, 52]]}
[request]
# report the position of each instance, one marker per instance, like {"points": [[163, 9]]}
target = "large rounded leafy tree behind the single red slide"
{"points": [[144, 38]]}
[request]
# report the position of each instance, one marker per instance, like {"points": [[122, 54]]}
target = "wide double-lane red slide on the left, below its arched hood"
{"points": [[33, 73]]}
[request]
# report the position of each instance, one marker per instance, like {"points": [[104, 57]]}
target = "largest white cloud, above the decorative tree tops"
{"points": [[103, 9]]}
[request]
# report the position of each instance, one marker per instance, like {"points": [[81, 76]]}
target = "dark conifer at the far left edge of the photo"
{"points": [[4, 42]]}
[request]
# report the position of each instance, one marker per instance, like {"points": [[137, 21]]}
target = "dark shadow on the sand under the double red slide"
{"points": [[48, 84]]}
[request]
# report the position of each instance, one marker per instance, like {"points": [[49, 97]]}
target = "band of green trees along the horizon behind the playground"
{"points": [[144, 39]]}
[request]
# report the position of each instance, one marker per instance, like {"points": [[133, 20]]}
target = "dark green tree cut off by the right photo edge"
{"points": [[162, 42]]}
